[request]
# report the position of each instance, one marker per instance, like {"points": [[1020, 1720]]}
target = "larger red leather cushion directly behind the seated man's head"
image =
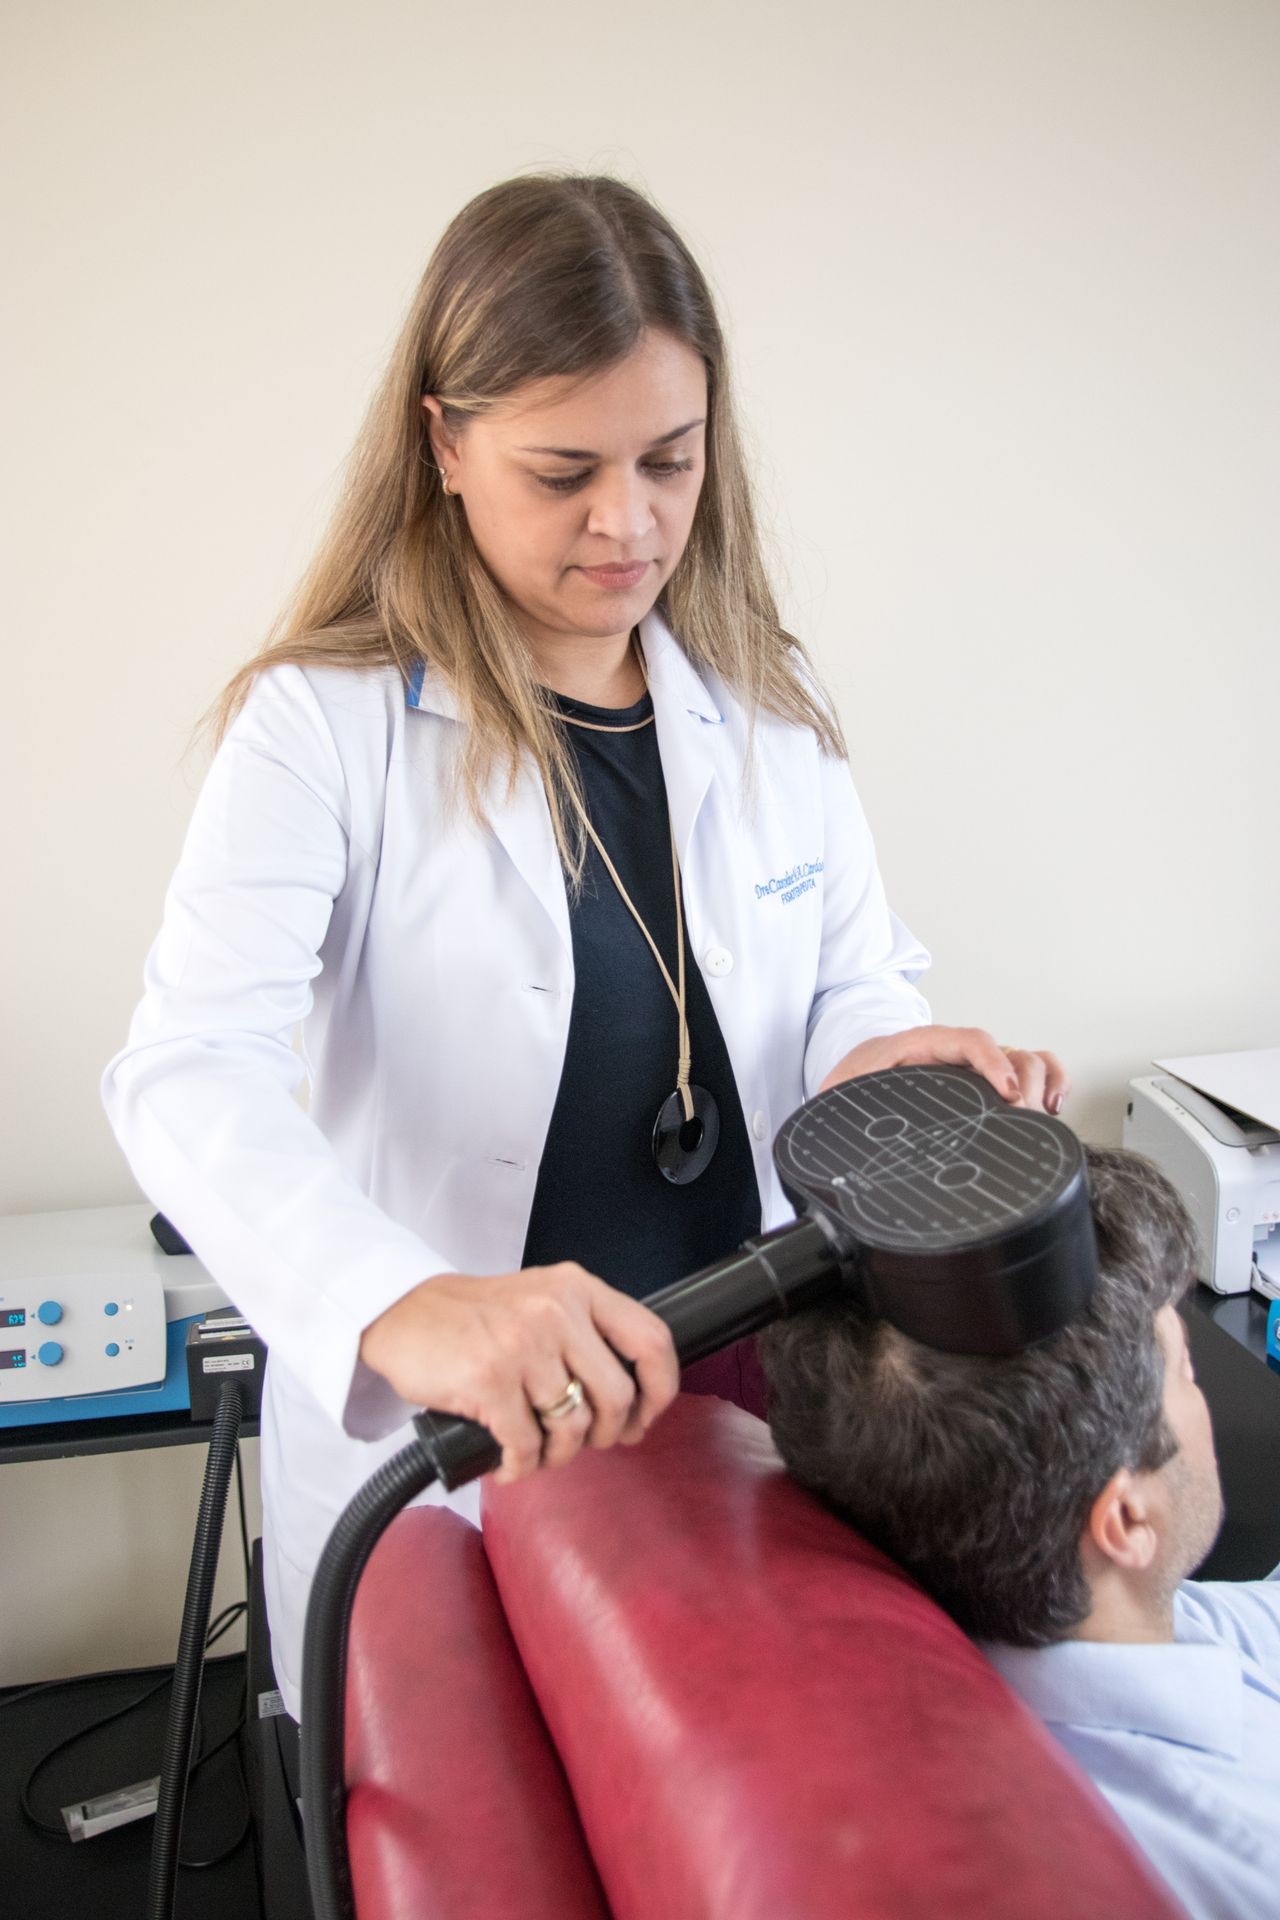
{"points": [[763, 1719]]}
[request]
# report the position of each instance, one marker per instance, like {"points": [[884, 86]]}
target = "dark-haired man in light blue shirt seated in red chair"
{"points": [[1056, 1504]]}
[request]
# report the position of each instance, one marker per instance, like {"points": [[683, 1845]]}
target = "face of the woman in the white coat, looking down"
{"points": [[573, 475]]}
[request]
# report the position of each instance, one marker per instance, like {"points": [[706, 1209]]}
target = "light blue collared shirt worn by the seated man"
{"points": [[1183, 1739]]}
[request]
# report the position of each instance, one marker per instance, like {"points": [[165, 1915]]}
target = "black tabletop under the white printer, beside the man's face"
{"points": [[1227, 1335]]}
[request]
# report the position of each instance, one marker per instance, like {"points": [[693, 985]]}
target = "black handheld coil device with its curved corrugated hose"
{"points": [[918, 1191]]}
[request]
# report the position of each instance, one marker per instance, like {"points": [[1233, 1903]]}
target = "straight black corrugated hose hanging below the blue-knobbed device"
{"points": [[189, 1666]]}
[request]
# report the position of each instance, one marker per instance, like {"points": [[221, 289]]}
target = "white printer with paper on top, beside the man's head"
{"points": [[1227, 1168]]}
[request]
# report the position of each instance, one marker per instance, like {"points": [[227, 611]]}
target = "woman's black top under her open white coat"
{"points": [[602, 1199]]}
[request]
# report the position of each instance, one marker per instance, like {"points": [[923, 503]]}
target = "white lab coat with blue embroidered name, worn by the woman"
{"points": [[331, 880]]}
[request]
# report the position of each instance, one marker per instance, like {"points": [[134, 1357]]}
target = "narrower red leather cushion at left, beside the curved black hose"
{"points": [[458, 1804]]}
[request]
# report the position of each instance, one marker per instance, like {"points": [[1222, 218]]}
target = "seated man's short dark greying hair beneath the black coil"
{"points": [[978, 1476]]}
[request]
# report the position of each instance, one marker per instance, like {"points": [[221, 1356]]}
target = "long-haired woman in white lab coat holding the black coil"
{"points": [[540, 827]]}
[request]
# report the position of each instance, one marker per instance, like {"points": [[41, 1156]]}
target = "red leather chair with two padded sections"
{"points": [[667, 1685]]}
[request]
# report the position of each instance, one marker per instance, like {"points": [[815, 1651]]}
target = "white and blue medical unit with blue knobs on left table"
{"points": [[95, 1316]]}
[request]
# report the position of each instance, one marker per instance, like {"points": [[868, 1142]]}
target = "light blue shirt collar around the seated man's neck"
{"points": [[1189, 1691]]}
